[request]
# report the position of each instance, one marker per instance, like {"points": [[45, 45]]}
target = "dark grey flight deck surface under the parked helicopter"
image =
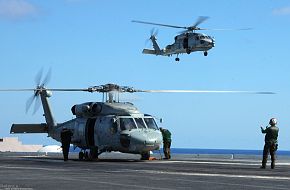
{"points": [[118, 171]]}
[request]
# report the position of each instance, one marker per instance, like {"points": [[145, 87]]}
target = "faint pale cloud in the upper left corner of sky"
{"points": [[16, 9]]}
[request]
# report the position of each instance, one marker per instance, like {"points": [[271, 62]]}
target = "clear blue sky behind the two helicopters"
{"points": [[88, 42]]}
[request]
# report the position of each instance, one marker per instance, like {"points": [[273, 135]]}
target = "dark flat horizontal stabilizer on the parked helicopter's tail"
{"points": [[29, 128]]}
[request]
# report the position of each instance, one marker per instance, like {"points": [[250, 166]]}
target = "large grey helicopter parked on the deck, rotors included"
{"points": [[109, 125]]}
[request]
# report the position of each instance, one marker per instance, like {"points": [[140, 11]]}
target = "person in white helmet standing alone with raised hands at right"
{"points": [[271, 143]]}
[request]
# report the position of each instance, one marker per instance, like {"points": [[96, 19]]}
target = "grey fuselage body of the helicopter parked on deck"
{"points": [[113, 127]]}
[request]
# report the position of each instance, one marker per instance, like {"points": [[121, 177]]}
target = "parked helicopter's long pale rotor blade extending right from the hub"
{"points": [[204, 91]]}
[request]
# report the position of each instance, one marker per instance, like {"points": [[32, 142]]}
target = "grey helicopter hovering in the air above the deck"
{"points": [[186, 42]]}
